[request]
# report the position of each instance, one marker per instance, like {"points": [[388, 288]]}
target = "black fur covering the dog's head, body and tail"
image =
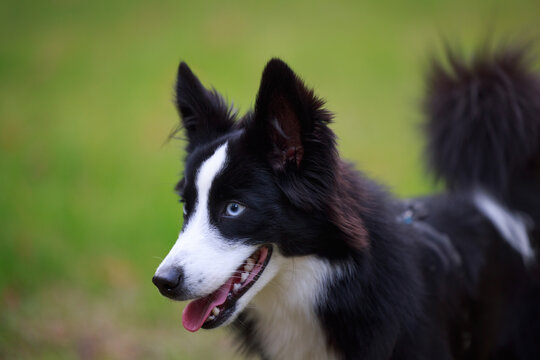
{"points": [[437, 283]]}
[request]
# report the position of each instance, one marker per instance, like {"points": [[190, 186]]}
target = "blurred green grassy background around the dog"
{"points": [[86, 203]]}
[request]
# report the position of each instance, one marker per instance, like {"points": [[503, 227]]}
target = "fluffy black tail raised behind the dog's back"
{"points": [[483, 120]]}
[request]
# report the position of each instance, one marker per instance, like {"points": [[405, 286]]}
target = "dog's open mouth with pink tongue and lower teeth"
{"points": [[212, 310]]}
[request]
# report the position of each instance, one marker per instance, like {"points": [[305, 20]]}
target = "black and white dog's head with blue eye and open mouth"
{"points": [[254, 190]]}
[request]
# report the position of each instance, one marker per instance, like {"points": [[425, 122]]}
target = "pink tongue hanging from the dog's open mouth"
{"points": [[197, 311]]}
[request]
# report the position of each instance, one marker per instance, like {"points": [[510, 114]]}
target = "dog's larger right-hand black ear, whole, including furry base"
{"points": [[289, 130]]}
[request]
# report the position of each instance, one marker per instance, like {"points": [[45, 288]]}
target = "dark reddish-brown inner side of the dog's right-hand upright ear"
{"points": [[284, 113]]}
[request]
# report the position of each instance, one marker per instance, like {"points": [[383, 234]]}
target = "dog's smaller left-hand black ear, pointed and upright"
{"points": [[205, 115]]}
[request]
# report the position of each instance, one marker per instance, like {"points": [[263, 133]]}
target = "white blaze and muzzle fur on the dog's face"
{"points": [[206, 258]]}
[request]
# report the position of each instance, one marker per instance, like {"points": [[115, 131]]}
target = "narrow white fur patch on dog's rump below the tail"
{"points": [[510, 225]]}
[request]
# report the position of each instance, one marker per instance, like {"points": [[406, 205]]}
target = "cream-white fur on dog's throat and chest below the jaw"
{"points": [[286, 323]]}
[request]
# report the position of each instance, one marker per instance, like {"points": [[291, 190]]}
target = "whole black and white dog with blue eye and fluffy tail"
{"points": [[309, 259]]}
